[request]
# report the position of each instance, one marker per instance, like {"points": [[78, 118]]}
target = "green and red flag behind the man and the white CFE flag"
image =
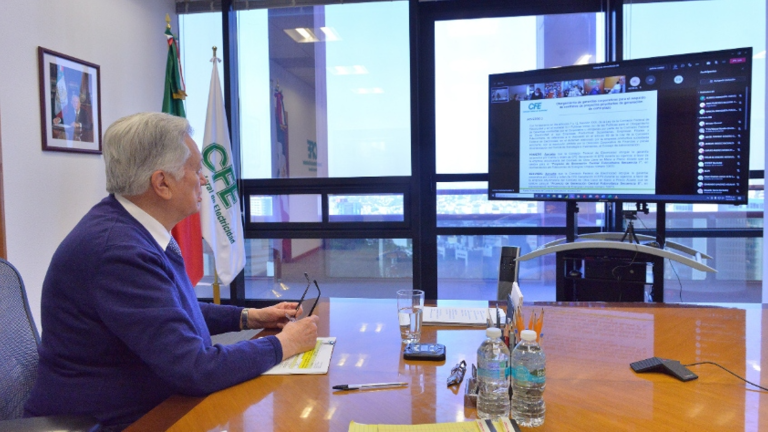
{"points": [[187, 232]]}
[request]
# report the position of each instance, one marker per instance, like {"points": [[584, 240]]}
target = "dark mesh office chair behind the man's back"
{"points": [[19, 340]]}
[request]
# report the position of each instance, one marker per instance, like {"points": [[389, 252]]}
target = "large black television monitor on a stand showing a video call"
{"points": [[662, 129]]}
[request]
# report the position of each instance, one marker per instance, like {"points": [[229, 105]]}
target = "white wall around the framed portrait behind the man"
{"points": [[46, 193]]}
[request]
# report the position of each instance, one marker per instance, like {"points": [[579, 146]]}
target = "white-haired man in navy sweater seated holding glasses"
{"points": [[122, 327]]}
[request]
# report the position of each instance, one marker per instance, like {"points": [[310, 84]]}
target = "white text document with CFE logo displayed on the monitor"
{"points": [[589, 144]]}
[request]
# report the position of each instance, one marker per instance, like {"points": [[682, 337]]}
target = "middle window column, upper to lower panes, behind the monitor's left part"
{"points": [[466, 52]]}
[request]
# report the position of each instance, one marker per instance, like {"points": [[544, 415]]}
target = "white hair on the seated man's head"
{"points": [[137, 145]]}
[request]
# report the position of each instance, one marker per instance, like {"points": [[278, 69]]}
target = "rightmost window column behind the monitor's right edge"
{"points": [[731, 234]]}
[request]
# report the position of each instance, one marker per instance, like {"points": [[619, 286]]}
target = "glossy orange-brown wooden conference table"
{"points": [[590, 386]]}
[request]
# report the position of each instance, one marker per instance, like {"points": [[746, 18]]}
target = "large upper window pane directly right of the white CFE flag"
{"points": [[325, 90]]}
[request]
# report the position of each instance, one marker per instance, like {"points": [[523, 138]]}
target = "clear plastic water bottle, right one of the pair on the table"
{"points": [[528, 380]]}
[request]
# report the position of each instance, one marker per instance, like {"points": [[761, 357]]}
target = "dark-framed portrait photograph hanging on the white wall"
{"points": [[70, 103]]}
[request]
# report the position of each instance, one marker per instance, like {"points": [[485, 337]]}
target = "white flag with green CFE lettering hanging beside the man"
{"points": [[220, 214]]}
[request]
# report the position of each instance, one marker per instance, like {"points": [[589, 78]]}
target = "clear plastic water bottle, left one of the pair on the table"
{"points": [[493, 377]]}
